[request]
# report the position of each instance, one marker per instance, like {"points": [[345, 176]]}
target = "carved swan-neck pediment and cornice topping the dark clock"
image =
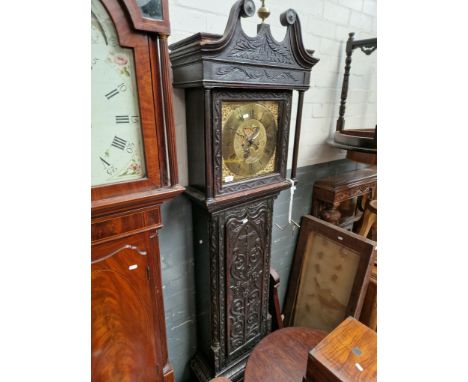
{"points": [[235, 59]]}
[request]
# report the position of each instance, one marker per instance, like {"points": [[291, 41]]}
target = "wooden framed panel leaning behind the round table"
{"points": [[329, 275]]}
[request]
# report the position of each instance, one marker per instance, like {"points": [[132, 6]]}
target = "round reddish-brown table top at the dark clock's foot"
{"points": [[282, 355]]}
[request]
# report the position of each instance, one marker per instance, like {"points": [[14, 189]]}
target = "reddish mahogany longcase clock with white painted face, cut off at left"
{"points": [[134, 170]]}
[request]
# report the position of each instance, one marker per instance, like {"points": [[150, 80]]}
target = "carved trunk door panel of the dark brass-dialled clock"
{"points": [[247, 234]]}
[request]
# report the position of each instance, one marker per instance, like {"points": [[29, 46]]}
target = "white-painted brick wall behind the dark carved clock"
{"points": [[325, 28]]}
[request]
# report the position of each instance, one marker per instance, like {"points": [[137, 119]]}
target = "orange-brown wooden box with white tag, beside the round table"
{"points": [[347, 354]]}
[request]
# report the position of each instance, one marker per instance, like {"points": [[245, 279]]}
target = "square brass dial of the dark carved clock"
{"points": [[249, 138]]}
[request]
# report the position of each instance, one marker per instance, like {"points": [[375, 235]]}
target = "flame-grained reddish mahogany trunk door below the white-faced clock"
{"points": [[122, 318]]}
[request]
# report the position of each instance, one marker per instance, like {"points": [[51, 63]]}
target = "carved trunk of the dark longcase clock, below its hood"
{"points": [[238, 252]]}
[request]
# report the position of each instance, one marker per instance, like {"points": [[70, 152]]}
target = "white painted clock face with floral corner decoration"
{"points": [[116, 139]]}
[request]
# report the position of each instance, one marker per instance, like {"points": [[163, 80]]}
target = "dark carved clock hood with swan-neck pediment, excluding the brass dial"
{"points": [[212, 67]]}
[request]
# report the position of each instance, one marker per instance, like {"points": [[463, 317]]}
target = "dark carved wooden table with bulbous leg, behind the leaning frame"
{"points": [[335, 198]]}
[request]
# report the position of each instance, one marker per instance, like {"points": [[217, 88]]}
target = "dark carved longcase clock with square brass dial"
{"points": [[238, 92]]}
